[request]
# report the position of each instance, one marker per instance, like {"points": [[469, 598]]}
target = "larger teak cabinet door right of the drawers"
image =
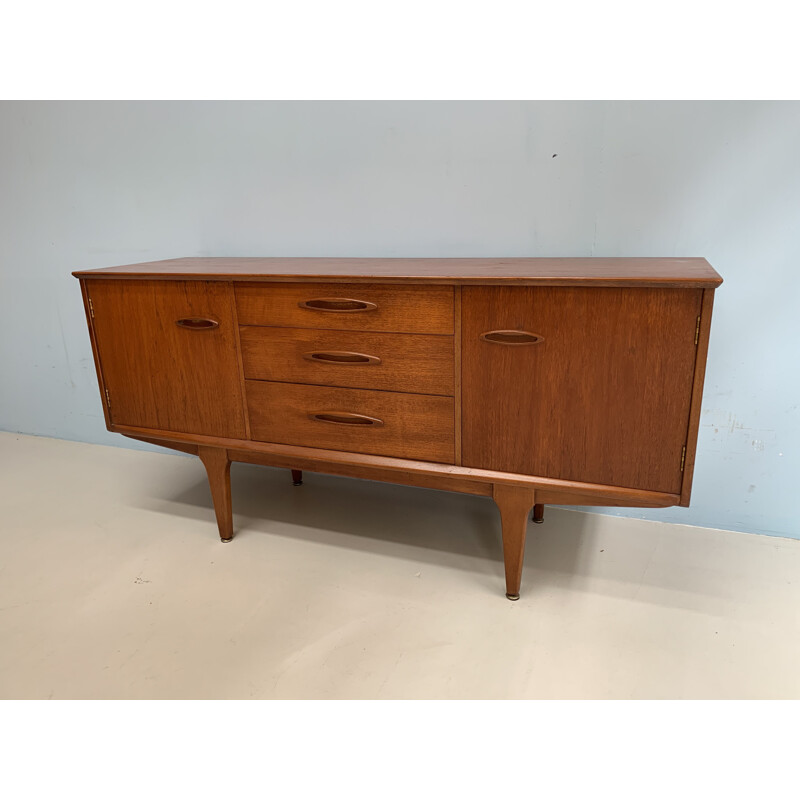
{"points": [[603, 394]]}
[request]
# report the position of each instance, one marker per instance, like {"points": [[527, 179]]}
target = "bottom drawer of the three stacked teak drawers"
{"points": [[411, 426]]}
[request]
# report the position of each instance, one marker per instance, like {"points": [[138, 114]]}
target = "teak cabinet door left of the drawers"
{"points": [[159, 374]]}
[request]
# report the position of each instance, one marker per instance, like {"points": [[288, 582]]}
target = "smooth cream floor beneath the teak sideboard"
{"points": [[113, 584]]}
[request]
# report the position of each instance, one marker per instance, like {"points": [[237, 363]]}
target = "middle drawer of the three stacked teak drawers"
{"points": [[400, 362]]}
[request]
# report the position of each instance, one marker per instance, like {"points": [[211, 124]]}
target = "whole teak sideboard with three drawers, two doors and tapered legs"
{"points": [[569, 381]]}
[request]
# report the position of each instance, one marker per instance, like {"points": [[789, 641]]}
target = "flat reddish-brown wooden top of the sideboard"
{"points": [[670, 272]]}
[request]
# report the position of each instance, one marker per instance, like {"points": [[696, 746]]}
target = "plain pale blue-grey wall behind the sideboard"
{"points": [[95, 184]]}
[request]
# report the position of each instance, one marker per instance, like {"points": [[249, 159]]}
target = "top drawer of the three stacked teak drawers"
{"points": [[347, 306]]}
